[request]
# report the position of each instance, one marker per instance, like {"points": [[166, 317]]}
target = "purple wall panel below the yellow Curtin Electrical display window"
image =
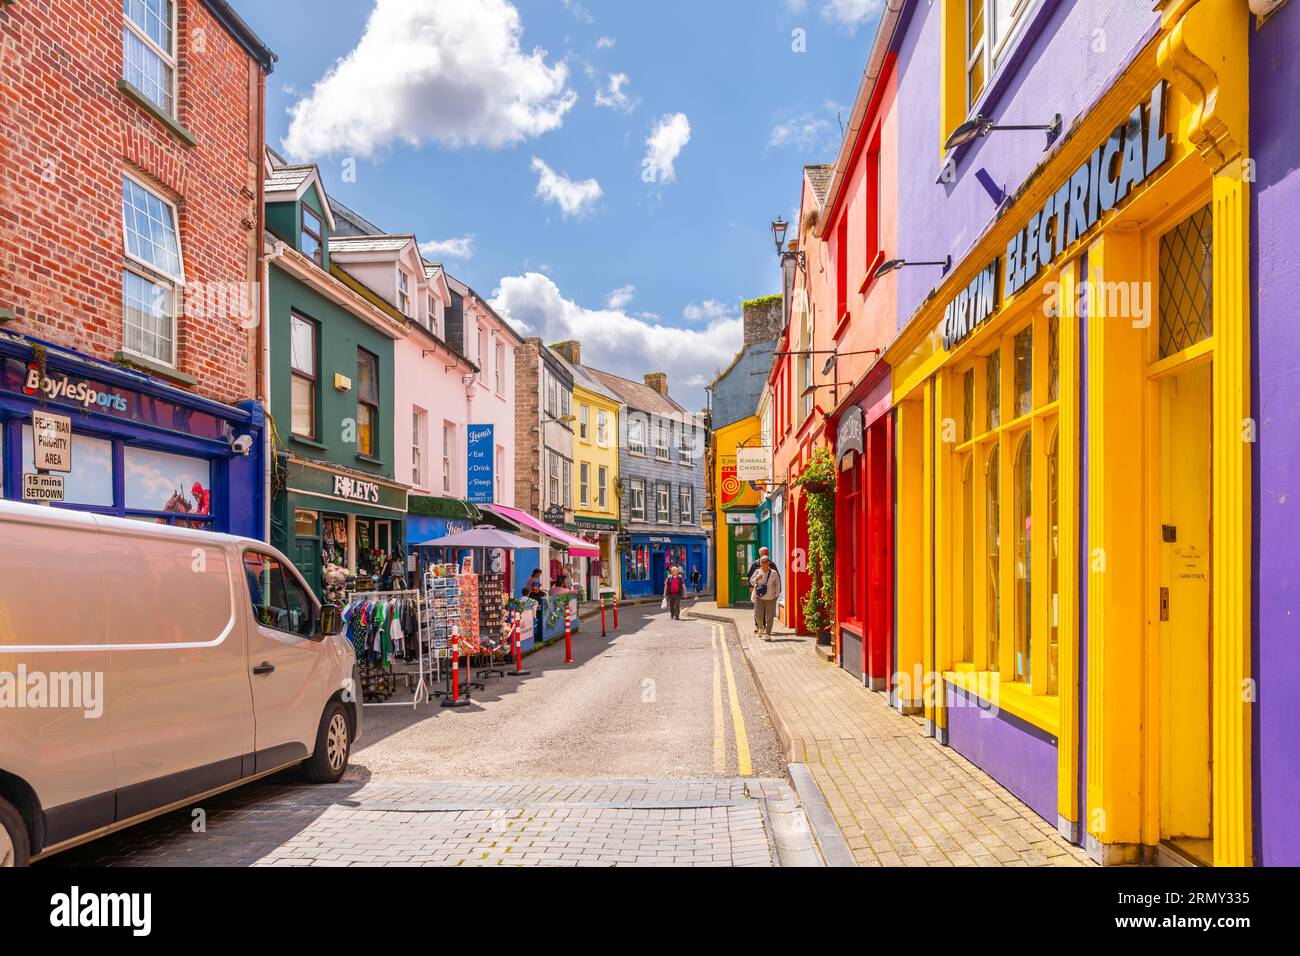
{"points": [[1016, 755]]}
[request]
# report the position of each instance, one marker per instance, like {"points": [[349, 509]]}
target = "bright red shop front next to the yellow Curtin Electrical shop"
{"points": [[865, 534]]}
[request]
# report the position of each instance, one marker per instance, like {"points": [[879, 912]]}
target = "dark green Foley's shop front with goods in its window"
{"points": [[341, 529]]}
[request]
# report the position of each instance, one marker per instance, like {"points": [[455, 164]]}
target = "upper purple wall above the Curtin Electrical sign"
{"points": [[1054, 67]]}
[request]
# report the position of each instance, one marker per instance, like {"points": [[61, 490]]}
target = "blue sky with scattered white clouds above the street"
{"points": [[531, 167]]}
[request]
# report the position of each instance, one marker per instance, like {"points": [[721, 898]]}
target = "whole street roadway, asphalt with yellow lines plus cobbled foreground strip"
{"points": [[655, 749]]}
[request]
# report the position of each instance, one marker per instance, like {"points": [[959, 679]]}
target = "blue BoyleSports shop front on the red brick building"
{"points": [[136, 447]]}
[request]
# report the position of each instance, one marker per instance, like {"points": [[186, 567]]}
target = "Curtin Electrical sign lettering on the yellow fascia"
{"points": [[1132, 154]]}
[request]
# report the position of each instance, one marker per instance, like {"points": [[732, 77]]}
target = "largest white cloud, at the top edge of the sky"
{"points": [[452, 73]]}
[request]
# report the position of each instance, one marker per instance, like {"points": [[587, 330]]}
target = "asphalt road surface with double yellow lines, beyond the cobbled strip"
{"points": [[639, 704]]}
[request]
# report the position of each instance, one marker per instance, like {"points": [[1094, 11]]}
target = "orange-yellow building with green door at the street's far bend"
{"points": [[736, 527]]}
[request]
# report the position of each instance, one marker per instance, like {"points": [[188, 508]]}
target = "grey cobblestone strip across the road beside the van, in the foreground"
{"points": [[521, 824]]}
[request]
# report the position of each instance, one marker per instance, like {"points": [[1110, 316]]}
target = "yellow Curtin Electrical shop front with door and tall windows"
{"points": [[1071, 413]]}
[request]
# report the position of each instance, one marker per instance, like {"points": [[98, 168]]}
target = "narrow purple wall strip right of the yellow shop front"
{"points": [[1276, 285]]}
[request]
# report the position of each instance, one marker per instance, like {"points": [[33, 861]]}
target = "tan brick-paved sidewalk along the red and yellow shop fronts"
{"points": [[899, 797]]}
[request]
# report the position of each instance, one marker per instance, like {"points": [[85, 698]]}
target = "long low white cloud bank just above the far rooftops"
{"points": [[619, 343]]}
